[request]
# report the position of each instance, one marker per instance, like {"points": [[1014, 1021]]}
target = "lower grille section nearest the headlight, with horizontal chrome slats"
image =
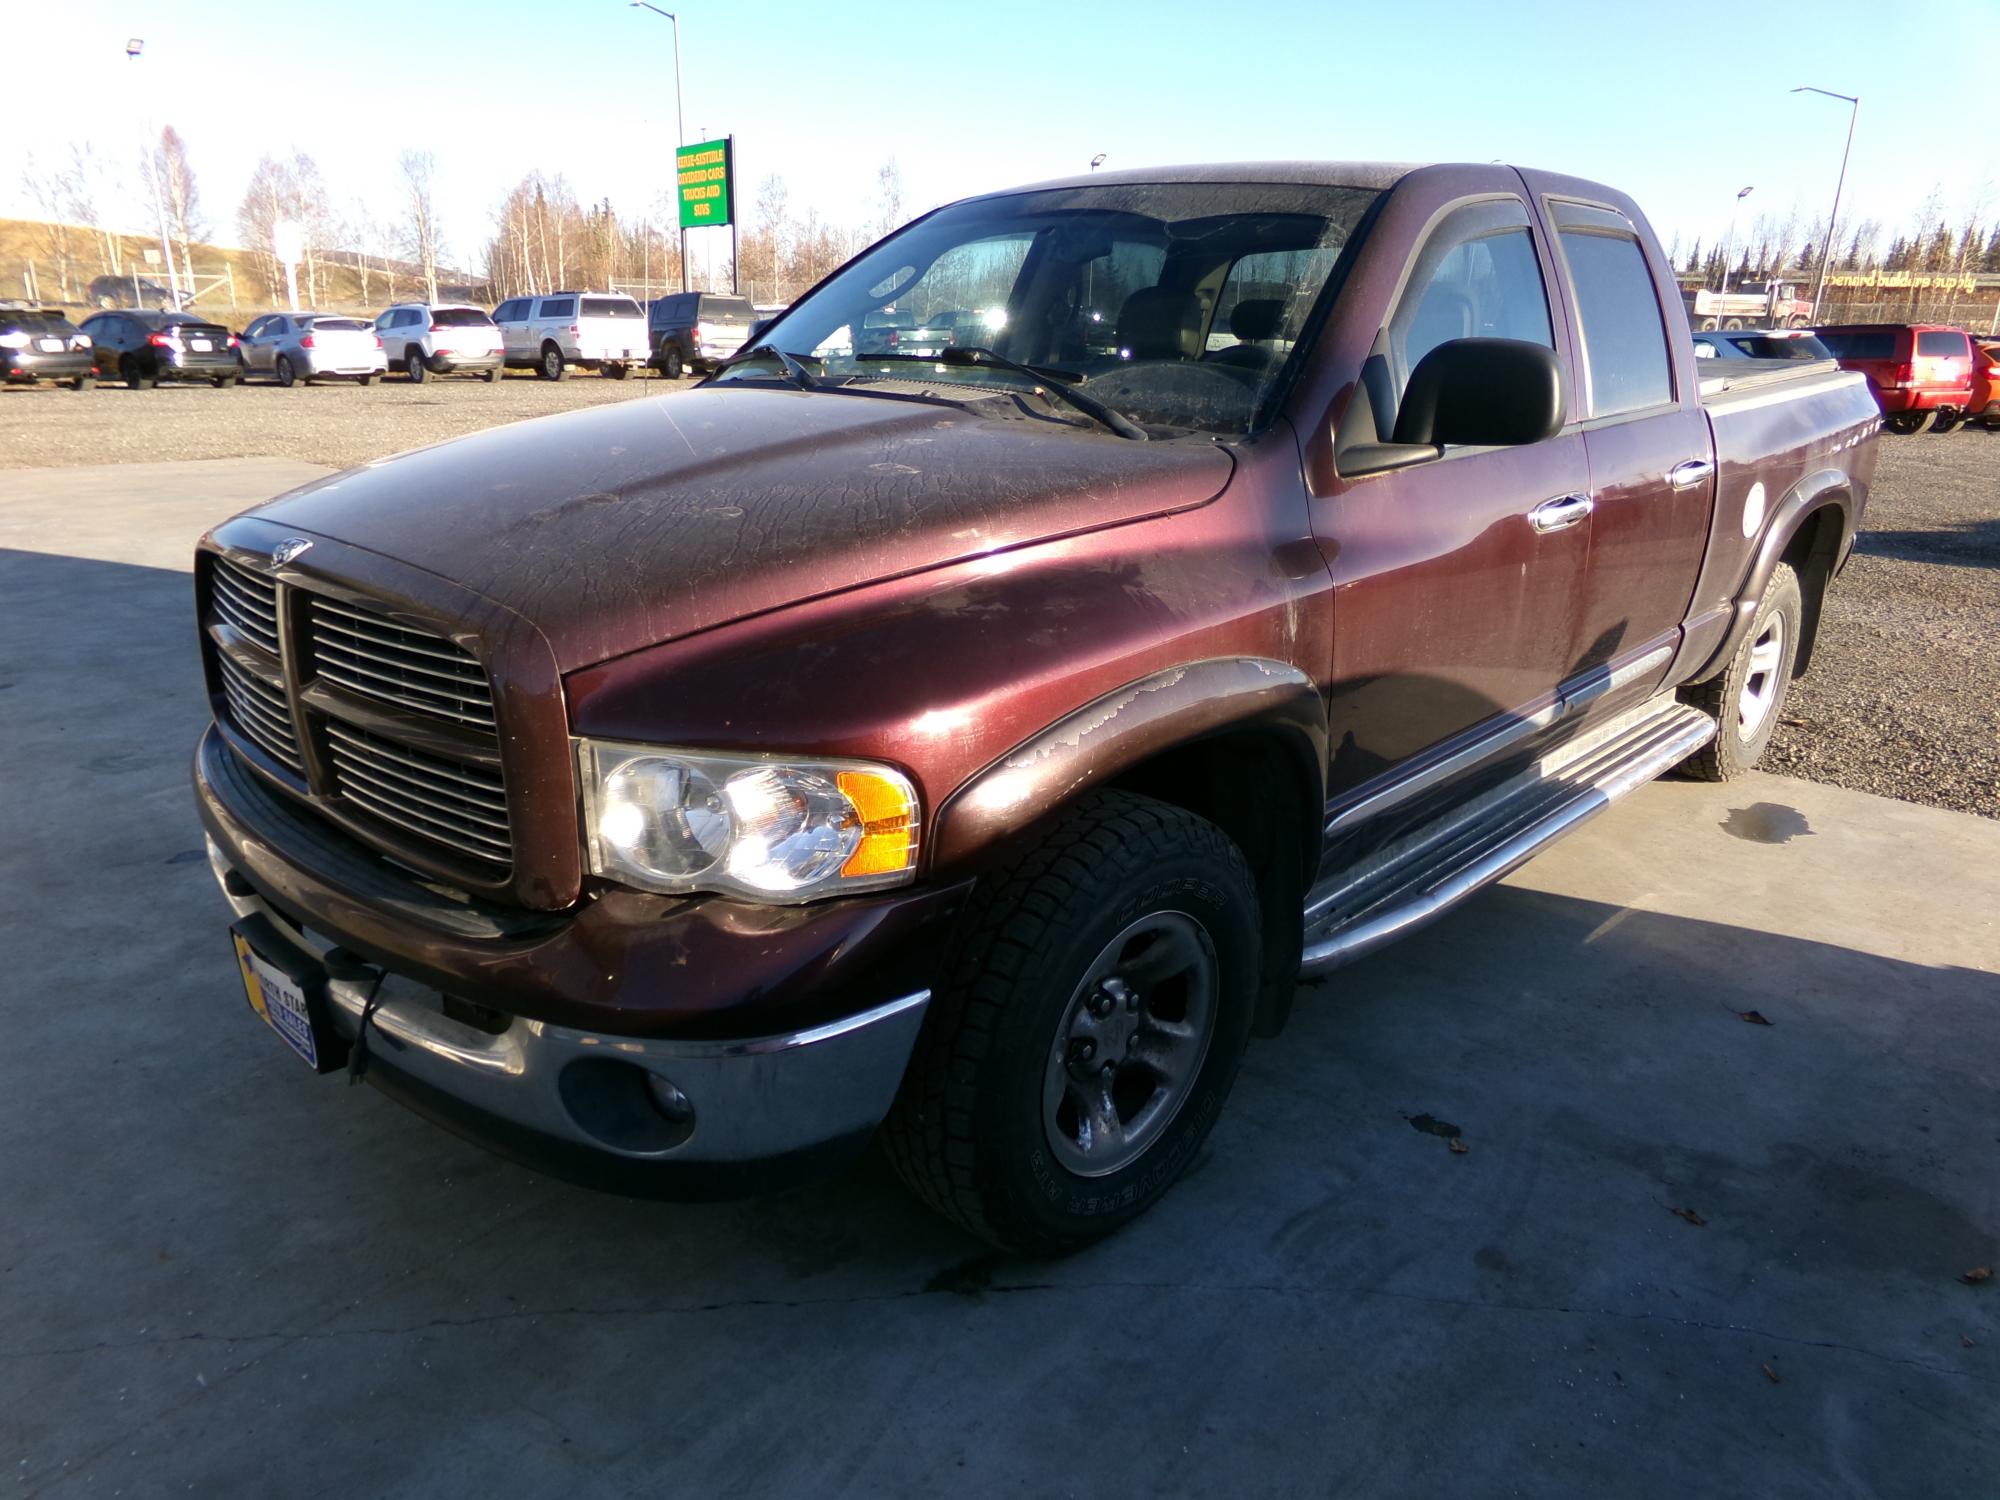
{"points": [[447, 801]]}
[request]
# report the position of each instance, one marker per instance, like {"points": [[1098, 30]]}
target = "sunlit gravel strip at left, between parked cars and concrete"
{"points": [[337, 423]]}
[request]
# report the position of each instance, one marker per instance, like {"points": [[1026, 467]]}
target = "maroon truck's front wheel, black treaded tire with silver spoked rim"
{"points": [[1087, 1029]]}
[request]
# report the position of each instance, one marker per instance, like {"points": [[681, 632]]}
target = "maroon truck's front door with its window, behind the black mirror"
{"points": [[1457, 583]]}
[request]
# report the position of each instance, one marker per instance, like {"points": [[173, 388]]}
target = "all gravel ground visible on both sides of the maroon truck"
{"points": [[1905, 687]]}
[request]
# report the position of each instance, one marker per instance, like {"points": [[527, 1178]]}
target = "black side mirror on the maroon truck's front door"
{"points": [[1471, 393]]}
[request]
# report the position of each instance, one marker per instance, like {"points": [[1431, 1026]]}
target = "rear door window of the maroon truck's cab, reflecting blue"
{"points": [[1627, 363]]}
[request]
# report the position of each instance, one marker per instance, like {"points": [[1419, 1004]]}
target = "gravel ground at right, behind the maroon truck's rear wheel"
{"points": [[1905, 689]]}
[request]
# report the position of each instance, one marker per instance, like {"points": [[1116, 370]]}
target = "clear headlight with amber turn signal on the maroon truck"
{"points": [[769, 829]]}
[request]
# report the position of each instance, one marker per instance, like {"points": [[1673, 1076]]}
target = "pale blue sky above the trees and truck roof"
{"points": [[1677, 105]]}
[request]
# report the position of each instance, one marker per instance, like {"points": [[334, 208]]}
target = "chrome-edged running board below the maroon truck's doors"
{"points": [[1423, 875]]}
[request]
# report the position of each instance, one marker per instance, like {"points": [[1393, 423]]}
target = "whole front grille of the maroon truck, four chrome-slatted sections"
{"points": [[401, 741]]}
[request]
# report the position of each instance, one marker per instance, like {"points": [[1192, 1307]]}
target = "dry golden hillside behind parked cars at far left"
{"points": [[231, 283]]}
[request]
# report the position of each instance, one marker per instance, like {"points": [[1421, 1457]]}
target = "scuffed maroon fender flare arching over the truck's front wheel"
{"points": [[1125, 727]]}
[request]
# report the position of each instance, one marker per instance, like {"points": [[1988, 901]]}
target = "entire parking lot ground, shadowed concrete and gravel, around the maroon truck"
{"points": [[1685, 1253]]}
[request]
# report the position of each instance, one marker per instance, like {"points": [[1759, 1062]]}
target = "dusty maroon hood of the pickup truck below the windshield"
{"points": [[647, 521]]}
